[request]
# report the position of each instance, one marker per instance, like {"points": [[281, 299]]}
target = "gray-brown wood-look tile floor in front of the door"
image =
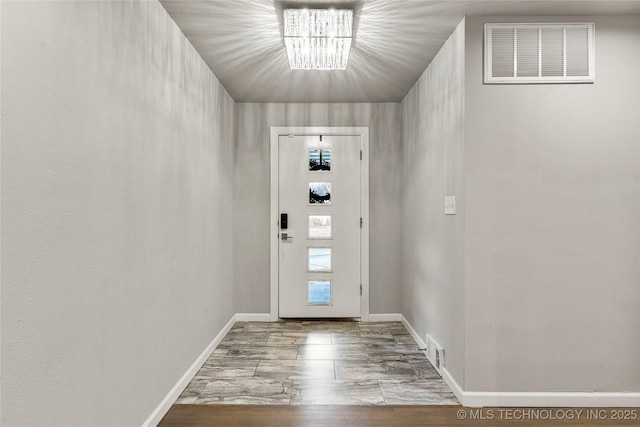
{"points": [[299, 362]]}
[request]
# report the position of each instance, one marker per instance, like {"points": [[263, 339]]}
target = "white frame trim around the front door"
{"points": [[363, 133]]}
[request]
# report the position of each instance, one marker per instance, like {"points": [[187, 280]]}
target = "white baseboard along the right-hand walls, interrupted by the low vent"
{"points": [[531, 399]]}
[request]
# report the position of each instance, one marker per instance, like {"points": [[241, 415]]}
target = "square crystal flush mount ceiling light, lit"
{"points": [[318, 39]]}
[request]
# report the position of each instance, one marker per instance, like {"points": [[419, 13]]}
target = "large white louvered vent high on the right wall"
{"points": [[539, 53]]}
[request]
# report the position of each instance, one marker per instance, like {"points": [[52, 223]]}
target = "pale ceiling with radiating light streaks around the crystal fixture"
{"points": [[394, 41]]}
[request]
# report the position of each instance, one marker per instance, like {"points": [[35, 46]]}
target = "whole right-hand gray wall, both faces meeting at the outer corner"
{"points": [[536, 276]]}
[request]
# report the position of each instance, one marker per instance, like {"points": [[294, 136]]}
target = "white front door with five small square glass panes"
{"points": [[320, 226]]}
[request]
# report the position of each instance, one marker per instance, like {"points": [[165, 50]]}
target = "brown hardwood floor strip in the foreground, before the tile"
{"points": [[380, 416]]}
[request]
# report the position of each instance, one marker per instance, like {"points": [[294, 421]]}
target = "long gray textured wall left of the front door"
{"points": [[116, 211]]}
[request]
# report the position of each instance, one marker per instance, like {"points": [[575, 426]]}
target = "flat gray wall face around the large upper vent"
{"points": [[552, 232]]}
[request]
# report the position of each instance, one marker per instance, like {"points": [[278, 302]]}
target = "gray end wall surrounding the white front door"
{"points": [[252, 198]]}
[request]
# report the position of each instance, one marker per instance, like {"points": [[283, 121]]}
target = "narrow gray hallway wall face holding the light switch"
{"points": [[433, 265]]}
